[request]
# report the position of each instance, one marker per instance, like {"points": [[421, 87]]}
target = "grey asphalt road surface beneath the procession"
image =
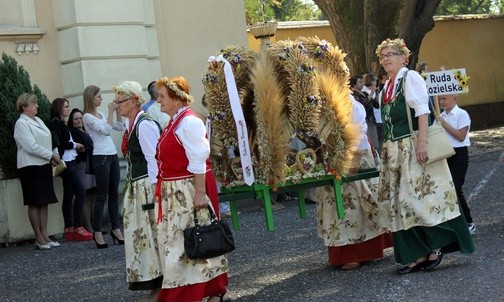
{"points": [[289, 264]]}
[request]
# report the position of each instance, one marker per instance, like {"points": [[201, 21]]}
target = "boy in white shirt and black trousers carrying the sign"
{"points": [[456, 122]]}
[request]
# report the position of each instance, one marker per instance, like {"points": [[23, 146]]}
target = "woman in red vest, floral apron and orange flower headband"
{"points": [[186, 183]]}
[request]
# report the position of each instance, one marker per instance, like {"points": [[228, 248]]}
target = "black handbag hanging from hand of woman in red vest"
{"points": [[208, 241]]}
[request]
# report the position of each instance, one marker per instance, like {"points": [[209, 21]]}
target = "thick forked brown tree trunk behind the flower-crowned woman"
{"points": [[359, 26]]}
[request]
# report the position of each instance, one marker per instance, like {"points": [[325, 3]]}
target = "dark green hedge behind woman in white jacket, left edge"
{"points": [[14, 80]]}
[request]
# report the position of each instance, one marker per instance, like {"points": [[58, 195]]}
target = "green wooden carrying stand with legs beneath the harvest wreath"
{"points": [[260, 191]]}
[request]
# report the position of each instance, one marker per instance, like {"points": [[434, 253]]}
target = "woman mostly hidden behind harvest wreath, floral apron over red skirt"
{"points": [[357, 237]]}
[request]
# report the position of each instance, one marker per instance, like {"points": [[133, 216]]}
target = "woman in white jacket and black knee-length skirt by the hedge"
{"points": [[35, 157]]}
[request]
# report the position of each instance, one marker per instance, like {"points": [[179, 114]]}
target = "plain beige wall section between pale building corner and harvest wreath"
{"points": [[191, 31]]}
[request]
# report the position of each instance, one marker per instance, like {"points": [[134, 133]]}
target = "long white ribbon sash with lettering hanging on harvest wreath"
{"points": [[241, 126]]}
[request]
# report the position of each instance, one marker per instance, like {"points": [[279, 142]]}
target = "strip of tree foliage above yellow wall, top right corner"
{"points": [[463, 7]]}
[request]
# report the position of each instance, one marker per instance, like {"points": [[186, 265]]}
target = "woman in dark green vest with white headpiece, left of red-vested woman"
{"points": [[143, 266]]}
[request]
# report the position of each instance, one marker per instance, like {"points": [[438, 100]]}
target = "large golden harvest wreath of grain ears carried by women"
{"points": [[294, 90]]}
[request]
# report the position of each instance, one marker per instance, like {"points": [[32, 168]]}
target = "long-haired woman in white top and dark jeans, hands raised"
{"points": [[105, 162]]}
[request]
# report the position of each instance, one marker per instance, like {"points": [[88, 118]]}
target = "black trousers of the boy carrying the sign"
{"points": [[458, 165]]}
